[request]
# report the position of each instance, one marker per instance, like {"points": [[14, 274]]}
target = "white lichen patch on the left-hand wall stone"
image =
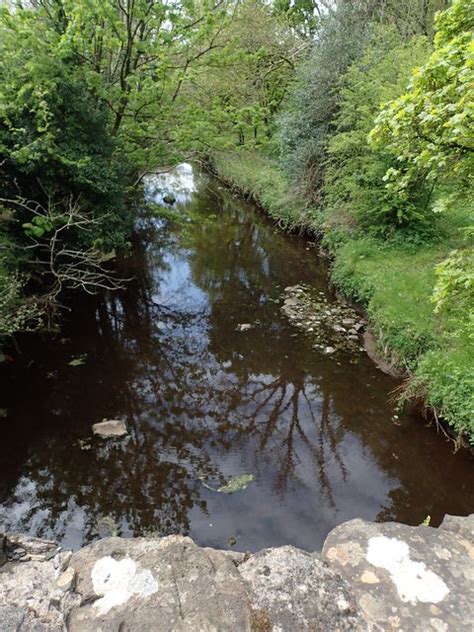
{"points": [[117, 581]]}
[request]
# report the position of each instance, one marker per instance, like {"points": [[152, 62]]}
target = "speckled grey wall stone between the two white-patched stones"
{"points": [[294, 590]]}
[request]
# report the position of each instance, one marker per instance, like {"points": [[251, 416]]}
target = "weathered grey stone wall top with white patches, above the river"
{"points": [[369, 577]]}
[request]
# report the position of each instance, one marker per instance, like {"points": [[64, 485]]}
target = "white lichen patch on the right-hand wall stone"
{"points": [[413, 580]]}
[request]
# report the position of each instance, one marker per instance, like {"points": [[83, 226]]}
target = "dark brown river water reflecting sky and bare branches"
{"points": [[205, 402]]}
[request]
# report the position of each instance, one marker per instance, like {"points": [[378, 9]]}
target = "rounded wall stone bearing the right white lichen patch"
{"points": [[416, 579]]}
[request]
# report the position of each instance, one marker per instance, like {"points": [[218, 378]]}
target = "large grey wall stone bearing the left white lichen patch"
{"points": [[167, 584]]}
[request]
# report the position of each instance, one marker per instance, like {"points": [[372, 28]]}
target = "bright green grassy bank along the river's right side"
{"points": [[394, 281]]}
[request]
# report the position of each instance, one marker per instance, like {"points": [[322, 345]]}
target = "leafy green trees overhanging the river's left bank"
{"points": [[94, 93]]}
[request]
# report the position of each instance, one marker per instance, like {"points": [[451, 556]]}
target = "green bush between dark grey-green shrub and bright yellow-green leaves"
{"points": [[353, 180]]}
